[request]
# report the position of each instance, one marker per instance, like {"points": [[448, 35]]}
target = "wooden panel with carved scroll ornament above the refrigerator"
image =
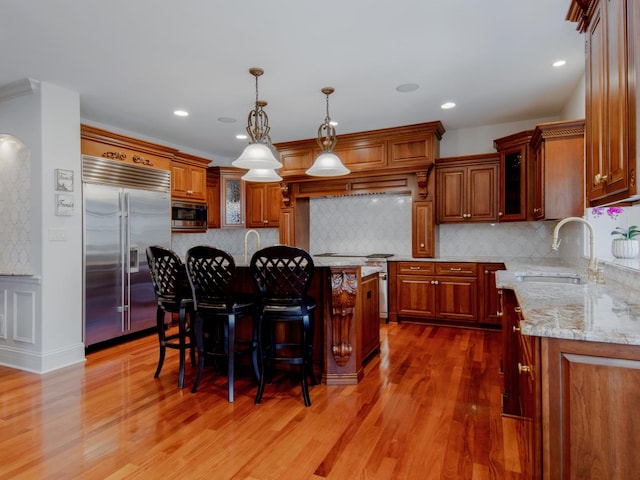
{"points": [[105, 144]]}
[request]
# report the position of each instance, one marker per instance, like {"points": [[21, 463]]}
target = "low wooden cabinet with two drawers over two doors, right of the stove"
{"points": [[434, 291]]}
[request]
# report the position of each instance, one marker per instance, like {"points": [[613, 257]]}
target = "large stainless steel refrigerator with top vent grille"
{"points": [[126, 209]]}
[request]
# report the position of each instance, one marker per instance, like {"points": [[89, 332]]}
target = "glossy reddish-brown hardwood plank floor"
{"points": [[427, 408]]}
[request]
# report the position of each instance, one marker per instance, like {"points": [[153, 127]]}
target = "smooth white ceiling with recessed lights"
{"points": [[134, 62]]}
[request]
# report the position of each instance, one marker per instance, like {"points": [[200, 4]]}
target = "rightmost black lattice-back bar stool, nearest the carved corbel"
{"points": [[282, 275]]}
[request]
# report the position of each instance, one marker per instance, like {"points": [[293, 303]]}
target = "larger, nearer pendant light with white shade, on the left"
{"points": [[258, 154]]}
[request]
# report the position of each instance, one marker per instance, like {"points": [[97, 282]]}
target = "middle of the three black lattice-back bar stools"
{"points": [[211, 272]]}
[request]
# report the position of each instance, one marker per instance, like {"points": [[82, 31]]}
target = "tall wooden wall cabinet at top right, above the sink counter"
{"points": [[611, 30]]}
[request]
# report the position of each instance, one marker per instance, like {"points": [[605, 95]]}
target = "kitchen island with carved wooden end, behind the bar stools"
{"points": [[346, 319]]}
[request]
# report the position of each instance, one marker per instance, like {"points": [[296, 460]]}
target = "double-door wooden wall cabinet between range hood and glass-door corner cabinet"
{"points": [[467, 189]]}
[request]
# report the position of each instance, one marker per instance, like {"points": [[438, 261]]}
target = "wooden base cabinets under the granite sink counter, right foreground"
{"points": [[576, 401]]}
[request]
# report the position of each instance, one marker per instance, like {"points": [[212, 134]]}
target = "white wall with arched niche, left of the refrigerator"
{"points": [[42, 314]]}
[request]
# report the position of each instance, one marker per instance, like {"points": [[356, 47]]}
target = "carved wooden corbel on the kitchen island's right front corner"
{"points": [[344, 286]]}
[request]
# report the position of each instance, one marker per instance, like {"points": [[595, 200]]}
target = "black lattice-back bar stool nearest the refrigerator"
{"points": [[173, 295]]}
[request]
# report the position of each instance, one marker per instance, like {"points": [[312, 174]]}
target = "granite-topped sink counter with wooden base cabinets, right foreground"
{"points": [[575, 353]]}
